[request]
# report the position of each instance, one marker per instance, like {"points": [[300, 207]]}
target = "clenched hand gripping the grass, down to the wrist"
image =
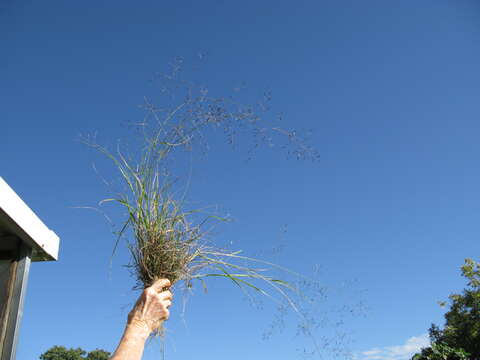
{"points": [[151, 308]]}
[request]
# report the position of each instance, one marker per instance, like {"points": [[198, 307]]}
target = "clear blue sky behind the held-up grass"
{"points": [[391, 90]]}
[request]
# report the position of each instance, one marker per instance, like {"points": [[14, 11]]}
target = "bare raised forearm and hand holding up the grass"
{"points": [[148, 314]]}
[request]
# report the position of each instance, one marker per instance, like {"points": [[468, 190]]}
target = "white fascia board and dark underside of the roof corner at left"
{"points": [[18, 219]]}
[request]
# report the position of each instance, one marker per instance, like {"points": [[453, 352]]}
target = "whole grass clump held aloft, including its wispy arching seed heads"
{"points": [[166, 239]]}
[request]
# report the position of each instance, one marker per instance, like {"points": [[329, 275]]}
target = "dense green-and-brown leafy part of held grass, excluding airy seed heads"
{"points": [[167, 242]]}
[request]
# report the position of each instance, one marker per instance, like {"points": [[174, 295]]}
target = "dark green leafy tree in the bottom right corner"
{"points": [[460, 337]]}
